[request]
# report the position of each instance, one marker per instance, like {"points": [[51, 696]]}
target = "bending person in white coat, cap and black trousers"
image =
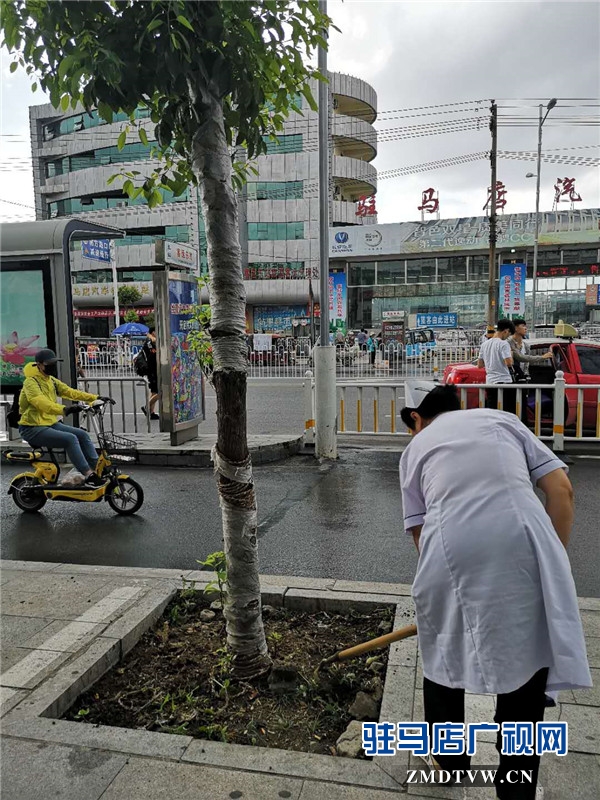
{"points": [[495, 600]]}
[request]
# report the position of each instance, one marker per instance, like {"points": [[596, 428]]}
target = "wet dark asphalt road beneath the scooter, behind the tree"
{"points": [[341, 521]]}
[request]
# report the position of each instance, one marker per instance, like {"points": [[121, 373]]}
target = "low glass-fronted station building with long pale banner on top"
{"points": [[441, 266]]}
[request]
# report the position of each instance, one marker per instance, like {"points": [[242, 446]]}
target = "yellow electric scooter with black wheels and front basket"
{"points": [[31, 490]]}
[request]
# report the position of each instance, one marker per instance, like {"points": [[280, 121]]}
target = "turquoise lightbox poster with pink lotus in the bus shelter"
{"points": [[23, 322]]}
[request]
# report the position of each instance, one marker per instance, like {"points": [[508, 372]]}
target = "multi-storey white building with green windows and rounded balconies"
{"points": [[74, 155]]}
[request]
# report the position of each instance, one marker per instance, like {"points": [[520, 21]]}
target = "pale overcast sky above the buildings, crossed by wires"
{"points": [[426, 54]]}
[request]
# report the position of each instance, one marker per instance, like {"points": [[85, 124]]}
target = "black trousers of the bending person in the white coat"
{"points": [[525, 704]]}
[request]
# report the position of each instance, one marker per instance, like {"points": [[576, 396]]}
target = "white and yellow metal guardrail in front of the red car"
{"points": [[557, 412]]}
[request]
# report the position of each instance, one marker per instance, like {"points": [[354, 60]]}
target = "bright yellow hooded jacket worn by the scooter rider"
{"points": [[38, 403]]}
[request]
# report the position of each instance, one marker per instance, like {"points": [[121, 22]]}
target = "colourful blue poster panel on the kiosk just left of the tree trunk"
{"points": [[186, 376]]}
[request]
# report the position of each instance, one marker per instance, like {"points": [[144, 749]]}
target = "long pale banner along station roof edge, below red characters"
{"points": [[464, 233]]}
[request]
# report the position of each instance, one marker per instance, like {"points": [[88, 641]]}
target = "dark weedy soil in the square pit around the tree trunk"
{"points": [[177, 679]]}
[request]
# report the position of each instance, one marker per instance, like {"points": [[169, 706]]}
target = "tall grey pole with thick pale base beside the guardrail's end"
{"points": [[325, 388]]}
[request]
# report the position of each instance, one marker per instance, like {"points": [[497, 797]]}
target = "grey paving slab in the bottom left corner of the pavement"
{"points": [[34, 770]]}
